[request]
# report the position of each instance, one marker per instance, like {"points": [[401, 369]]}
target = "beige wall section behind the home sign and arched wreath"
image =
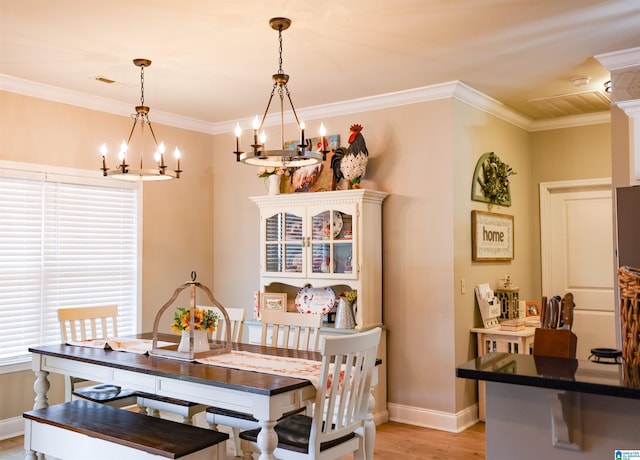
{"points": [[476, 133]]}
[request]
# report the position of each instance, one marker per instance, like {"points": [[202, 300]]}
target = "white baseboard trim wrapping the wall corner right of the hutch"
{"points": [[438, 420]]}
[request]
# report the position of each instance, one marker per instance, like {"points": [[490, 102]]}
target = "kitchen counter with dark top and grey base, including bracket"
{"points": [[557, 408]]}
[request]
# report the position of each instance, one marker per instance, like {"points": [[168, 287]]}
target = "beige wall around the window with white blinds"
{"points": [[177, 221]]}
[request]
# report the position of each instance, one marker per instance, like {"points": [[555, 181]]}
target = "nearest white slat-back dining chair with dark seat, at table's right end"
{"points": [[336, 427]]}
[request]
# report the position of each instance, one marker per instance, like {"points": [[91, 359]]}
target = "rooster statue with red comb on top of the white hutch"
{"points": [[351, 163]]}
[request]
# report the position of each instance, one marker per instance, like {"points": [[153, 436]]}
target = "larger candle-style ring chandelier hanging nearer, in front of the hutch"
{"points": [[302, 154]]}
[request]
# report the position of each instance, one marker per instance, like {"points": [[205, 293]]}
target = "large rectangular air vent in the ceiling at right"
{"points": [[571, 104]]}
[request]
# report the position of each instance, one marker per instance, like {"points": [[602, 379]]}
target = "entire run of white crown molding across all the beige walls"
{"points": [[452, 89]]}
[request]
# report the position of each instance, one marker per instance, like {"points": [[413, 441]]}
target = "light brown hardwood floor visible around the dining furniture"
{"points": [[393, 441]]}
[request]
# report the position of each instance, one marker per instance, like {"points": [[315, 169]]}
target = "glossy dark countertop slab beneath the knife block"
{"points": [[556, 373]]}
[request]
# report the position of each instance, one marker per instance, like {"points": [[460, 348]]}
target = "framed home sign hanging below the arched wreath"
{"points": [[492, 236]]}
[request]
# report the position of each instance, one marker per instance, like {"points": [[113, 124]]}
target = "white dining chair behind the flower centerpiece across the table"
{"points": [[154, 403]]}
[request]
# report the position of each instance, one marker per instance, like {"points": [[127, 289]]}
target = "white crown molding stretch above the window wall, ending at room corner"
{"points": [[88, 101]]}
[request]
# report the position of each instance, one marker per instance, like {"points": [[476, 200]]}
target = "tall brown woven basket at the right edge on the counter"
{"points": [[629, 282]]}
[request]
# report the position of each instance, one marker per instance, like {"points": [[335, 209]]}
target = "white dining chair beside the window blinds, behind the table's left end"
{"points": [[86, 323]]}
